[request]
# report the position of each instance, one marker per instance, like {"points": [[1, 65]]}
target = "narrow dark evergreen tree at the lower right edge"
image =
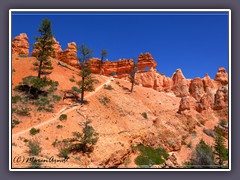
{"points": [[219, 147]]}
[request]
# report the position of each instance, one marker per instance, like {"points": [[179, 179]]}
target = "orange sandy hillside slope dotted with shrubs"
{"points": [[119, 123]]}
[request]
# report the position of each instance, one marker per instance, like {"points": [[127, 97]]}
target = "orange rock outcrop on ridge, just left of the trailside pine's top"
{"points": [[69, 55]]}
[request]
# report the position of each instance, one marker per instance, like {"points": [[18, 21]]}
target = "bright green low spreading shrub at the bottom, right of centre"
{"points": [[150, 157]]}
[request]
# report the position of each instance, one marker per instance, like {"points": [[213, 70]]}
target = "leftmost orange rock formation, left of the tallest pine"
{"points": [[20, 45]]}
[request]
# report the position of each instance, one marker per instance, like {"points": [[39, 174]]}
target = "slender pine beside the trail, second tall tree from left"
{"points": [[87, 82]]}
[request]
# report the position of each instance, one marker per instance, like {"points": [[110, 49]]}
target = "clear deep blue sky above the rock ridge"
{"points": [[196, 42]]}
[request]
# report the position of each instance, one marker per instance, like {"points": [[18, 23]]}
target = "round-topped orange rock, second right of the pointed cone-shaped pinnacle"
{"points": [[196, 88]]}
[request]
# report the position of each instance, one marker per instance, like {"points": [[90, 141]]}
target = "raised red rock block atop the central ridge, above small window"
{"points": [[146, 60]]}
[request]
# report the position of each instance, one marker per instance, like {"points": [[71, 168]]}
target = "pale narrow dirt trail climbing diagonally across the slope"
{"points": [[63, 110]]}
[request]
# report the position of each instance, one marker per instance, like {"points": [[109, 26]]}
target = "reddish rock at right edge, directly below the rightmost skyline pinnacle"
{"points": [[221, 98]]}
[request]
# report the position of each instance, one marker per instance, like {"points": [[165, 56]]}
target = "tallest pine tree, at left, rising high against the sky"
{"points": [[44, 48]]}
